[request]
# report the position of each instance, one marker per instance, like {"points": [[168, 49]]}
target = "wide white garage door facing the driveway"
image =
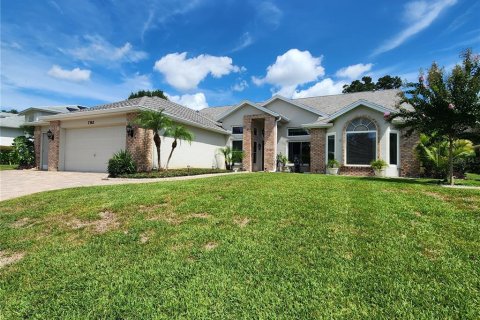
{"points": [[89, 149]]}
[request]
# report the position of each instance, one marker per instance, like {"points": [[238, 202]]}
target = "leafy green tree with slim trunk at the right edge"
{"points": [[444, 106]]}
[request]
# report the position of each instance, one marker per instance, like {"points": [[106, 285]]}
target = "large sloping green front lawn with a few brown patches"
{"points": [[244, 246]]}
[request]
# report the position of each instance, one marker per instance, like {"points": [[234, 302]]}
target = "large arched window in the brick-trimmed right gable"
{"points": [[361, 138]]}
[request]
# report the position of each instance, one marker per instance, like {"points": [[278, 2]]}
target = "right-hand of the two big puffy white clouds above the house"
{"points": [[292, 69]]}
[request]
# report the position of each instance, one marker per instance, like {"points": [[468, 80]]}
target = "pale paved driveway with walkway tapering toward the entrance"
{"points": [[17, 183]]}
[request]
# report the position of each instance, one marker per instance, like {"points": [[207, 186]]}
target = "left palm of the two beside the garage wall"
{"points": [[155, 121]]}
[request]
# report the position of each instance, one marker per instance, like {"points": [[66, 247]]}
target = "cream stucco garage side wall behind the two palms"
{"points": [[203, 152]]}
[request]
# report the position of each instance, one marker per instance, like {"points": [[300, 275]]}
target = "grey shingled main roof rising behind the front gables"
{"points": [[331, 103]]}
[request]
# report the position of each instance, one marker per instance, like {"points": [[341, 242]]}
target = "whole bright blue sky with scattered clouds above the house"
{"points": [[210, 53]]}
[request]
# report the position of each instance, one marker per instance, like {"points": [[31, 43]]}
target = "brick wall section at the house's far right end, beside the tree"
{"points": [[410, 166]]}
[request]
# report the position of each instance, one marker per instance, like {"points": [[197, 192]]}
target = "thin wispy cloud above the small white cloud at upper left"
{"points": [[99, 50]]}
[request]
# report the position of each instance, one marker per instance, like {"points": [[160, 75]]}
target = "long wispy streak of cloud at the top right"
{"points": [[418, 15]]}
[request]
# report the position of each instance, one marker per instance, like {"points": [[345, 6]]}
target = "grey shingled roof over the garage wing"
{"points": [[172, 108]]}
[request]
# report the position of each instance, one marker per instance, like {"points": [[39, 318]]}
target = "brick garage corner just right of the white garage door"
{"points": [[140, 145]]}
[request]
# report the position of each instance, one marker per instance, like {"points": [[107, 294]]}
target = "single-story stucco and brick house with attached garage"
{"points": [[347, 127]]}
